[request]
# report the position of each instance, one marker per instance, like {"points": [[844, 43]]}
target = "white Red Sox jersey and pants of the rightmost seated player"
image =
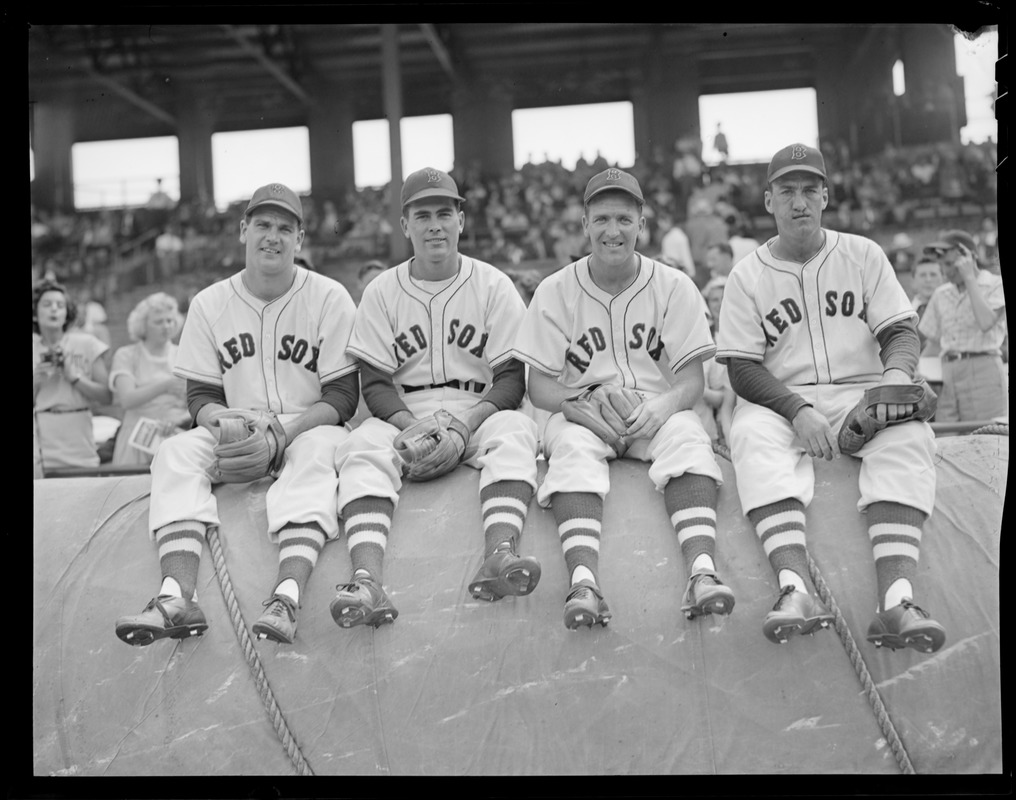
{"points": [[813, 327]]}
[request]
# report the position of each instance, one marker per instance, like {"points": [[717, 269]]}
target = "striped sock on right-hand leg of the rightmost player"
{"points": [[896, 533]]}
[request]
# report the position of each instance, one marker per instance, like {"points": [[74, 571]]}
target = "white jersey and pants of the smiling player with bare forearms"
{"points": [[641, 338]]}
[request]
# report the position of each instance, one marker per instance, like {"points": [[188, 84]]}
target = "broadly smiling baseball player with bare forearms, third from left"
{"points": [[616, 323]]}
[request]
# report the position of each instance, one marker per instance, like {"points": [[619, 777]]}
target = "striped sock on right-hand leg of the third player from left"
{"points": [[691, 504]]}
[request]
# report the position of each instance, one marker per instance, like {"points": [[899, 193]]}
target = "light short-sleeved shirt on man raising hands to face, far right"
{"points": [[949, 318]]}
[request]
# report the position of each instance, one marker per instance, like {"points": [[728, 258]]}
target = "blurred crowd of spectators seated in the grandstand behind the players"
{"points": [[535, 214]]}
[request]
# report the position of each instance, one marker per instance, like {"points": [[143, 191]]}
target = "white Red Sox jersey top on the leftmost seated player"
{"points": [[269, 356]]}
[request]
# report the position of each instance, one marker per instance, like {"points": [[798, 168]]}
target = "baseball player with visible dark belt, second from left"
{"points": [[433, 336]]}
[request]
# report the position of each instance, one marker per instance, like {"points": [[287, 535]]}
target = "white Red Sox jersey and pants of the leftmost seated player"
{"points": [[268, 356]]}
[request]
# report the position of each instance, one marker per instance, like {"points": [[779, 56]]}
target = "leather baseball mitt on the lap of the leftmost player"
{"points": [[251, 446]]}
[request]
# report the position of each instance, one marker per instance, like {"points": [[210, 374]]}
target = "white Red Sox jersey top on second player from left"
{"points": [[461, 333]]}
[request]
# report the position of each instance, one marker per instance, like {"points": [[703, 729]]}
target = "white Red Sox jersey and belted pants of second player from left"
{"points": [[440, 342]]}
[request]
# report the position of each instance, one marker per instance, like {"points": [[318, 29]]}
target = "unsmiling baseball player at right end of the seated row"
{"points": [[811, 321]]}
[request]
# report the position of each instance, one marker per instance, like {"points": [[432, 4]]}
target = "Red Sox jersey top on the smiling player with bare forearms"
{"points": [[581, 335]]}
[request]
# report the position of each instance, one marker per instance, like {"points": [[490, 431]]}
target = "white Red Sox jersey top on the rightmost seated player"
{"points": [[814, 323]]}
